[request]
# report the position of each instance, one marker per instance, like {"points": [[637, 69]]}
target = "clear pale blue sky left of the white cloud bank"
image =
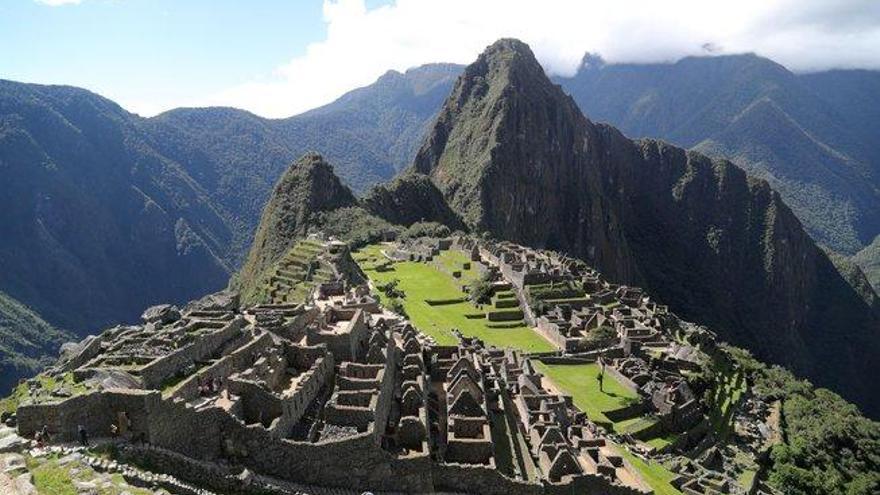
{"points": [[146, 51]]}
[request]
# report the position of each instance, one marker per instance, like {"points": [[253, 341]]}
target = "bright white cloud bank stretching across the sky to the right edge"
{"points": [[362, 44]]}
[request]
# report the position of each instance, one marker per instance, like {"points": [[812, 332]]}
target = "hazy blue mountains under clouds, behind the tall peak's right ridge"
{"points": [[808, 140]]}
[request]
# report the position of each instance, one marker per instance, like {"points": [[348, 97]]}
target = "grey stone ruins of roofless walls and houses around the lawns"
{"points": [[339, 392]]}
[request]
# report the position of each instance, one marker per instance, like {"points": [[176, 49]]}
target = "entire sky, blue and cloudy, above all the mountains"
{"points": [[281, 57]]}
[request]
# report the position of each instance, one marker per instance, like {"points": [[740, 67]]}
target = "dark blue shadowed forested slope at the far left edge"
{"points": [[96, 223]]}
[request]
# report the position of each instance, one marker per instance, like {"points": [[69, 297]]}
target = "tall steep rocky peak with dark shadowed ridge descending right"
{"points": [[513, 155]]}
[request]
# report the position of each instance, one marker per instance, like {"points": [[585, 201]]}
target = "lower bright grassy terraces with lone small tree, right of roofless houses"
{"points": [[582, 383]]}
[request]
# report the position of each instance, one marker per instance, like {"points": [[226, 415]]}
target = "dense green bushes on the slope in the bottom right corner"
{"points": [[828, 448]]}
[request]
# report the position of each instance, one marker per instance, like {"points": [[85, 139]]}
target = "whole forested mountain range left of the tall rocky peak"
{"points": [[106, 212]]}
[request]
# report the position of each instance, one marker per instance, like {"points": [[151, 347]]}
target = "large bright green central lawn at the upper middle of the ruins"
{"points": [[422, 281]]}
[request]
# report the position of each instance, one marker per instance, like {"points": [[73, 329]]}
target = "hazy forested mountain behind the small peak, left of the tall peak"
{"points": [[369, 134]]}
